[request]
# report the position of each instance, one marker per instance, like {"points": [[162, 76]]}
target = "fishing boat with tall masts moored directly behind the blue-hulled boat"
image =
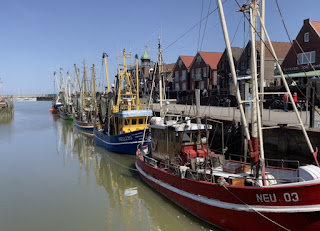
{"points": [[85, 116]]}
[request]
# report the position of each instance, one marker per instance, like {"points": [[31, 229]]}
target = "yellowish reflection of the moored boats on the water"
{"points": [[129, 204]]}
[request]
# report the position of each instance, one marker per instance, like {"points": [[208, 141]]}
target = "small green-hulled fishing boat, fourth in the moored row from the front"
{"points": [[66, 110]]}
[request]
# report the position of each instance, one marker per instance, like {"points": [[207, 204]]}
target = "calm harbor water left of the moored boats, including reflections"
{"points": [[53, 177]]}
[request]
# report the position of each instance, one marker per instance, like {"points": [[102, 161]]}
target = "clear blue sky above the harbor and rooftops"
{"points": [[39, 37]]}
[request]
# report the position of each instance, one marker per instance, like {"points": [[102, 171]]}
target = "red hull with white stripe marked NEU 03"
{"points": [[295, 207]]}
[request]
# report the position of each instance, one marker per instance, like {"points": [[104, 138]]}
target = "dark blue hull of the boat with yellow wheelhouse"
{"points": [[124, 143]]}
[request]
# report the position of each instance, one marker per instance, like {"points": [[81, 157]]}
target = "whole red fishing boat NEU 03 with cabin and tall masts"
{"points": [[260, 194]]}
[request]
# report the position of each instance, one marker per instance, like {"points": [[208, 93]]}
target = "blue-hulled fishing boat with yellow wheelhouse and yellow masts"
{"points": [[126, 119]]}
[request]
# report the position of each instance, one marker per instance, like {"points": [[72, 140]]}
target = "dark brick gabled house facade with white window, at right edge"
{"points": [[303, 58]]}
